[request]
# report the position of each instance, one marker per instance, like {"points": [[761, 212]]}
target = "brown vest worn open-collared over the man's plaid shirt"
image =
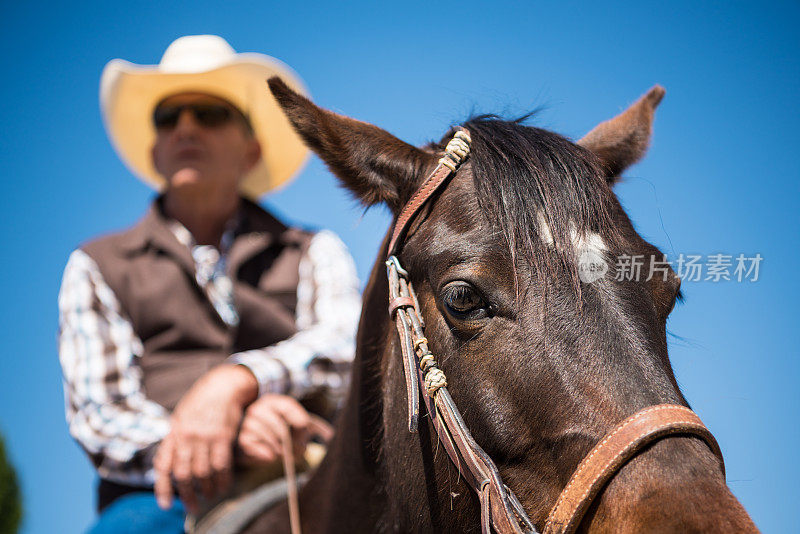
{"points": [[153, 277]]}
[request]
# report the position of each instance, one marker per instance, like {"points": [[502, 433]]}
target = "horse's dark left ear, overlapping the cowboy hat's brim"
{"points": [[370, 162]]}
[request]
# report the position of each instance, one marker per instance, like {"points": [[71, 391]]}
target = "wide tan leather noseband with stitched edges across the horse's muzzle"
{"points": [[618, 446]]}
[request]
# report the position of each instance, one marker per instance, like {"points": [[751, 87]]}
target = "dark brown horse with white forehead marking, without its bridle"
{"points": [[541, 362]]}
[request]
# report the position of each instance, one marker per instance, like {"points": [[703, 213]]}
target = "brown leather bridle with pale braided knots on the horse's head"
{"points": [[500, 509]]}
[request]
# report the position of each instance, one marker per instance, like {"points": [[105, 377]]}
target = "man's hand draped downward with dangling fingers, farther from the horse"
{"points": [[198, 449]]}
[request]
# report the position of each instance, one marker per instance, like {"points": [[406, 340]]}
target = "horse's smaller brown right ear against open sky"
{"points": [[623, 140]]}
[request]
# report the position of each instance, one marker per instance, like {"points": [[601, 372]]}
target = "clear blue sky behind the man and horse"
{"points": [[721, 177]]}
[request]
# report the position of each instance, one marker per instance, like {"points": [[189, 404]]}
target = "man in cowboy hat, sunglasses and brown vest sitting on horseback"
{"points": [[186, 340]]}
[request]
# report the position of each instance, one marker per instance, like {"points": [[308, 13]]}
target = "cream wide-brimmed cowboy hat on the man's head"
{"points": [[202, 64]]}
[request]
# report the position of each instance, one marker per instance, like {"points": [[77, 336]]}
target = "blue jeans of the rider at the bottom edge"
{"points": [[138, 513]]}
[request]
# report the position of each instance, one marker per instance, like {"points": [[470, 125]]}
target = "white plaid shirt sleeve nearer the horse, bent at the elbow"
{"points": [[320, 354]]}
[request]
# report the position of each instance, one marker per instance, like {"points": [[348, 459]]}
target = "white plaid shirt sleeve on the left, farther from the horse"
{"points": [[107, 411]]}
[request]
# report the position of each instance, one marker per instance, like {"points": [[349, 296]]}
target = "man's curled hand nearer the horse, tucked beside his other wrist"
{"points": [[265, 424]]}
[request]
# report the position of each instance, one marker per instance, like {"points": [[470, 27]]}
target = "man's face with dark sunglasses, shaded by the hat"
{"points": [[199, 146]]}
